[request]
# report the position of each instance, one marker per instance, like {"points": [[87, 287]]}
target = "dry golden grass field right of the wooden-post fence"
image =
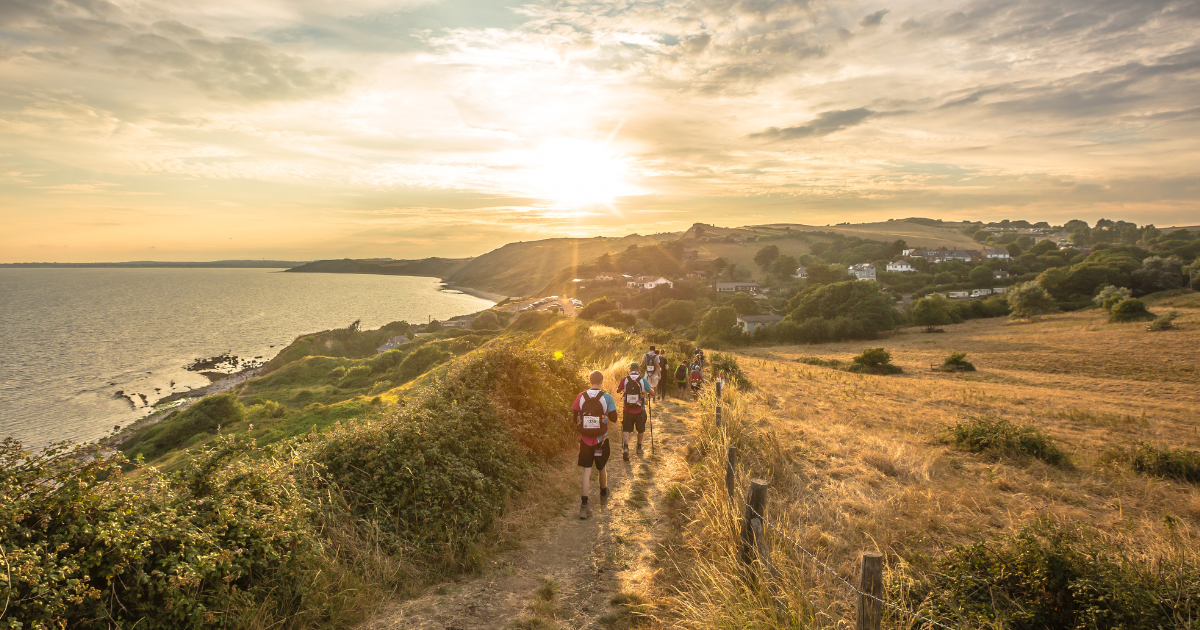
{"points": [[861, 464]]}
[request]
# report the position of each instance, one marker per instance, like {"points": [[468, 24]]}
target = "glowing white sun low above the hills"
{"points": [[579, 173]]}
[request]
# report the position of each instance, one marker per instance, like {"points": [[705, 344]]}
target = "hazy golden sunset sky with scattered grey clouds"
{"points": [[297, 130]]}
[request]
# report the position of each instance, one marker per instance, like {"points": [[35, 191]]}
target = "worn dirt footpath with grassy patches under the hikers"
{"points": [[577, 574]]}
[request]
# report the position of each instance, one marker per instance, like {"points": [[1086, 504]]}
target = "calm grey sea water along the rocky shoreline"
{"points": [[71, 339]]}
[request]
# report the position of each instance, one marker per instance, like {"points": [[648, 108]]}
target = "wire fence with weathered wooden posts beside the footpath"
{"points": [[869, 592]]}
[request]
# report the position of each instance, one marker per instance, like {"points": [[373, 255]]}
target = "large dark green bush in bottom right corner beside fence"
{"points": [[1051, 575]]}
